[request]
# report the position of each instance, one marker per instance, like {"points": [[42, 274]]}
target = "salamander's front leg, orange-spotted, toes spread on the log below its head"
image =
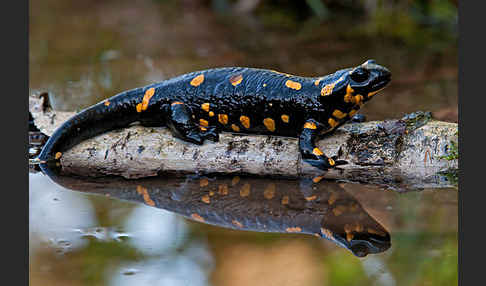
{"points": [[310, 153]]}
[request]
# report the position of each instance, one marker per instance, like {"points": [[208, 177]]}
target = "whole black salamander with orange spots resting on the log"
{"points": [[198, 105]]}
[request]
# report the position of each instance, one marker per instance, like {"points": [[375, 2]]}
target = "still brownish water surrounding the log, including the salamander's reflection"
{"points": [[123, 232]]}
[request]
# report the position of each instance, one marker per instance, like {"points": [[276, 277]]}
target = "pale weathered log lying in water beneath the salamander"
{"points": [[391, 152]]}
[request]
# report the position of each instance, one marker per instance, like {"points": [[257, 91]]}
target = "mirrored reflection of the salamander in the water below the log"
{"points": [[254, 204]]}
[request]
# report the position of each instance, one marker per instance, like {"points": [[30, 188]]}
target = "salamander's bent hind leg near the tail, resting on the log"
{"points": [[182, 126]]}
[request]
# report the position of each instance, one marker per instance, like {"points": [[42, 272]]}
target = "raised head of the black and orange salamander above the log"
{"points": [[356, 85]]}
